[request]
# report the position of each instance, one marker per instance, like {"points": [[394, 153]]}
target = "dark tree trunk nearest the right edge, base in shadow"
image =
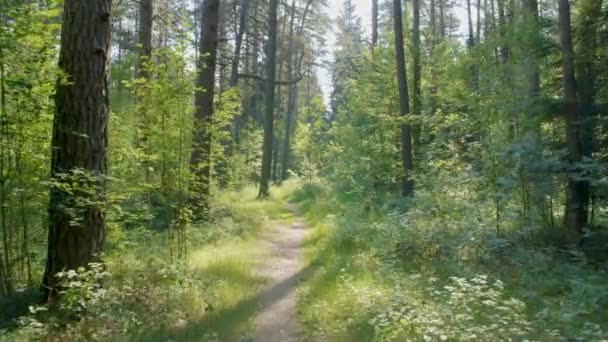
{"points": [[577, 192]]}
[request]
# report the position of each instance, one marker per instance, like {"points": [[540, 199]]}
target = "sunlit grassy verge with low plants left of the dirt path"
{"points": [[150, 295]]}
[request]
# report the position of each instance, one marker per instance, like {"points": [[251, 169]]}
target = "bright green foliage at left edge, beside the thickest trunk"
{"points": [[29, 35]]}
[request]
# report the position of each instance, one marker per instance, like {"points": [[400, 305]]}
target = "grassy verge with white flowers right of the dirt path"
{"points": [[386, 274]]}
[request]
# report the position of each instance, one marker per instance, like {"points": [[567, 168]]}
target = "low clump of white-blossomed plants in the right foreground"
{"points": [[463, 310]]}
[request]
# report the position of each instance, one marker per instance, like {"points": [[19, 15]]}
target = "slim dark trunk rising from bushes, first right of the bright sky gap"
{"points": [[407, 187]]}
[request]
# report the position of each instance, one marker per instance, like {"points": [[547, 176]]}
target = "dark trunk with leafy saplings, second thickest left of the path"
{"points": [[200, 159]]}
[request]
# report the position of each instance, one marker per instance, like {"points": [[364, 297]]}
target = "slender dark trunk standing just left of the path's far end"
{"points": [[271, 48]]}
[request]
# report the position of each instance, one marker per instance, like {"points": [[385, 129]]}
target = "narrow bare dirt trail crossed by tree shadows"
{"points": [[276, 321]]}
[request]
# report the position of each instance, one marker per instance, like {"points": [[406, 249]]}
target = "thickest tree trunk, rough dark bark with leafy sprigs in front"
{"points": [[79, 143]]}
